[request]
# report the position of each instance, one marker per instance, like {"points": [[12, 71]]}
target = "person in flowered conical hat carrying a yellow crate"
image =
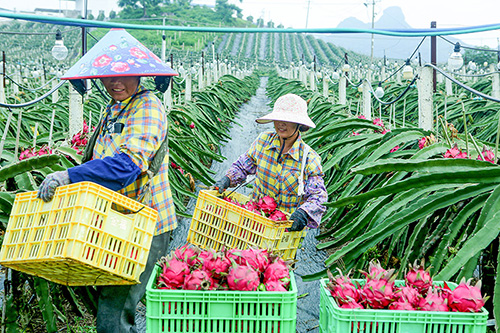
{"points": [[127, 153]]}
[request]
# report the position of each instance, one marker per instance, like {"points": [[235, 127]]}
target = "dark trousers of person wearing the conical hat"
{"points": [[117, 304]]}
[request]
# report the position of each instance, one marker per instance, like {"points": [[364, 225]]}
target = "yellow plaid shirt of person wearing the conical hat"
{"points": [[145, 128]]}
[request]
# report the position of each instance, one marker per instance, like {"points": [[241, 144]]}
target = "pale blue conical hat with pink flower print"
{"points": [[118, 54]]}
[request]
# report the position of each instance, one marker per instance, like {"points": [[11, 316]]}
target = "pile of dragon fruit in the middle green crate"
{"points": [[252, 269]]}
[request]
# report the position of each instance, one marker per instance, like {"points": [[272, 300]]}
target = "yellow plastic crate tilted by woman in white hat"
{"points": [[217, 223]]}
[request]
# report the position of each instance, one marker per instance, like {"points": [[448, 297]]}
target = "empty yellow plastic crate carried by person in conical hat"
{"points": [[86, 235]]}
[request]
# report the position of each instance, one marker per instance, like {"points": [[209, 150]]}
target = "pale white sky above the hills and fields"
{"points": [[329, 13]]}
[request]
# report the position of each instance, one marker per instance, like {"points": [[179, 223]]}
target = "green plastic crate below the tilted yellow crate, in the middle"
{"points": [[180, 311]]}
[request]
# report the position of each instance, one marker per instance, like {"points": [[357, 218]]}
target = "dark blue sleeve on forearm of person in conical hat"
{"points": [[114, 172]]}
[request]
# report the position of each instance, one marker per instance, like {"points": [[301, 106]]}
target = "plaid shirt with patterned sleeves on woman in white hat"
{"points": [[280, 180]]}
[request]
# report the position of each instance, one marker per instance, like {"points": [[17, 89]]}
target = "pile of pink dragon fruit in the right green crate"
{"points": [[418, 292]]}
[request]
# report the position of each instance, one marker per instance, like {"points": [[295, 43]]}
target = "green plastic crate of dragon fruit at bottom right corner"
{"points": [[333, 319]]}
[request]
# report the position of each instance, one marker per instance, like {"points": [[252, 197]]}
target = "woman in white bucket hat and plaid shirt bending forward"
{"points": [[285, 167]]}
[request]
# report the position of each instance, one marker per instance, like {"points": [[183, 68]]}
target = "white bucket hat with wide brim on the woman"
{"points": [[290, 108]]}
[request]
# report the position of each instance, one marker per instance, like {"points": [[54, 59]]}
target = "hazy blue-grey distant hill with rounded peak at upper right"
{"points": [[394, 47]]}
